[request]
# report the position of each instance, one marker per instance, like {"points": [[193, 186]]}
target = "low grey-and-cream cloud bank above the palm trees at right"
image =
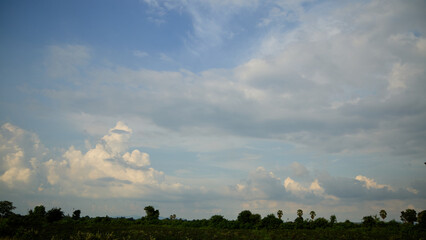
{"points": [[265, 185]]}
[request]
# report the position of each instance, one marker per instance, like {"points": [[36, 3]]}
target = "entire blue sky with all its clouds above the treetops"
{"points": [[205, 107]]}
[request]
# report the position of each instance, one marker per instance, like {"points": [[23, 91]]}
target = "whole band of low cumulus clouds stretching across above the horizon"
{"points": [[109, 171]]}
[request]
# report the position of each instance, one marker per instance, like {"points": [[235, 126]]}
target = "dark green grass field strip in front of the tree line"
{"points": [[57, 231]]}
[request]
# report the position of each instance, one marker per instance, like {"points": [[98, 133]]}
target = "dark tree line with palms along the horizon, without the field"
{"points": [[38, 218]]}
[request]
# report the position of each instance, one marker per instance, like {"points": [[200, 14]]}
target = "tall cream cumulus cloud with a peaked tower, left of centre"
{"points": [[107, 169]]}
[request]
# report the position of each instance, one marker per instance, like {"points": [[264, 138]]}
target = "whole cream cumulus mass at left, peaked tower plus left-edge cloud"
{"points": [[106, 170]]}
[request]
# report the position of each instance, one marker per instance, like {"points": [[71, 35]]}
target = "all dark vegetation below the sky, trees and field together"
{"points": [[54, 224]]}
